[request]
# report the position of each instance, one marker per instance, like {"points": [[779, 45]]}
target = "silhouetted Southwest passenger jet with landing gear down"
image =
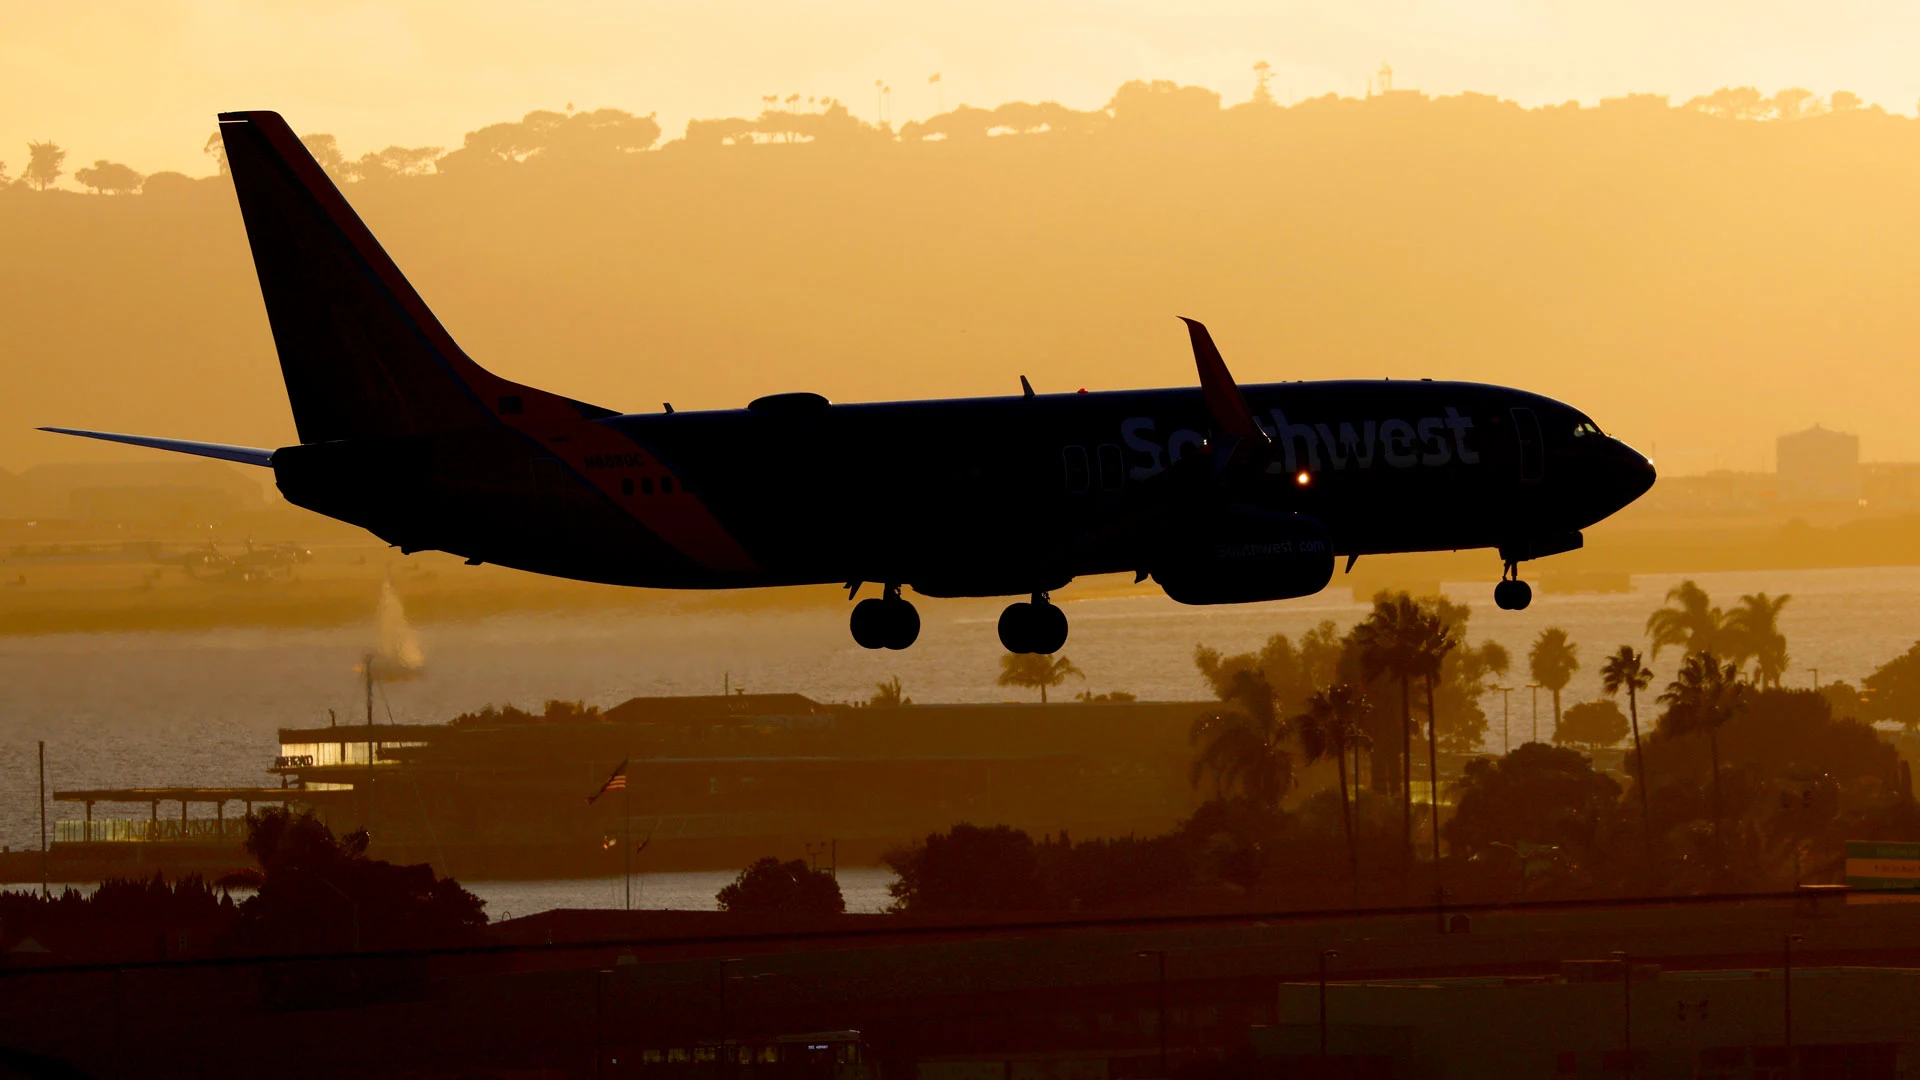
{"points": [[1220, 495]]}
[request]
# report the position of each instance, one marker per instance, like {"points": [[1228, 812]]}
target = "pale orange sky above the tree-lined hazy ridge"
{"points": [[141, 82]]}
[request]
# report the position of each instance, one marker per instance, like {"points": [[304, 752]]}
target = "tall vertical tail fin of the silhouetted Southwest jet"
{"points": [[360, 351]]}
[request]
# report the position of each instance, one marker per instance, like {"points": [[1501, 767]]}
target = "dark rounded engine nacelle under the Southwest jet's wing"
{"points": [[1245, 558]]}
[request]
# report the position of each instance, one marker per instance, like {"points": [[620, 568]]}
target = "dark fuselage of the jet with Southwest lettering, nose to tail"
{"points": [[980, 497]]}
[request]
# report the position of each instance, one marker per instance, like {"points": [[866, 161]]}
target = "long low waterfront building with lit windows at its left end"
{"points": [[708, 783]]}
